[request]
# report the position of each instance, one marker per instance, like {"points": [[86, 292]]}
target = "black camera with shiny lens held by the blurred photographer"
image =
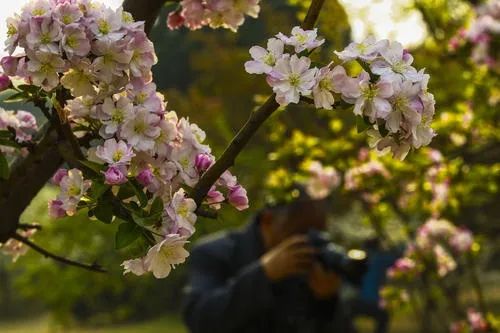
{"points": [[350, 265]]}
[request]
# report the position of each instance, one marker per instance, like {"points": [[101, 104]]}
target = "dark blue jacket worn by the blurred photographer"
{"points": [[228, 291]]}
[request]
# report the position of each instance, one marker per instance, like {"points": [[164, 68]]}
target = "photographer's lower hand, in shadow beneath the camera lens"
{"points": [[324, 284]]}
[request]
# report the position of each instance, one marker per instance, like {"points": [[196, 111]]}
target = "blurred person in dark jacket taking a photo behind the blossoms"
{"points": [[264, 278]]}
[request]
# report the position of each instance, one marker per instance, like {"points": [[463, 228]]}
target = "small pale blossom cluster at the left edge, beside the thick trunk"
{"points": [[22, 124]]}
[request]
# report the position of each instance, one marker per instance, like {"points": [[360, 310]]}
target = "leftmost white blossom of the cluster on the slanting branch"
{"points": [[264, 60]]}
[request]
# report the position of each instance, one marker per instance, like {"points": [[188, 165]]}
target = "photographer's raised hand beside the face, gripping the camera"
{"points": [[293, 256]]}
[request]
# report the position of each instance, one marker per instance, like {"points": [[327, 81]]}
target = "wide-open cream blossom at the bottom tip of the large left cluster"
{"points": [[162, 257]]}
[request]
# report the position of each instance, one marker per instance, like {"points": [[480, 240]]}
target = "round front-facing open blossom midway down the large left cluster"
{"points": [[141, 130]]}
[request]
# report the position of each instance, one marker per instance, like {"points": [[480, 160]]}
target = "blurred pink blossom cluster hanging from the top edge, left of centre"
{"points": [[229, 14]]}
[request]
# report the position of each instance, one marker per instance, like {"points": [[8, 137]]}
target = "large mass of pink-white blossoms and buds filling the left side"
{"points": [[103, 58]]}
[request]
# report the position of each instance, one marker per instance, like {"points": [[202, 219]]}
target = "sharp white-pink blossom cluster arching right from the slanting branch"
{"points": [[389, 93]]}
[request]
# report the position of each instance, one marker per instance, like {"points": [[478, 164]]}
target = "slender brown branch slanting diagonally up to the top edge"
{"points": [[256, 119]]}
